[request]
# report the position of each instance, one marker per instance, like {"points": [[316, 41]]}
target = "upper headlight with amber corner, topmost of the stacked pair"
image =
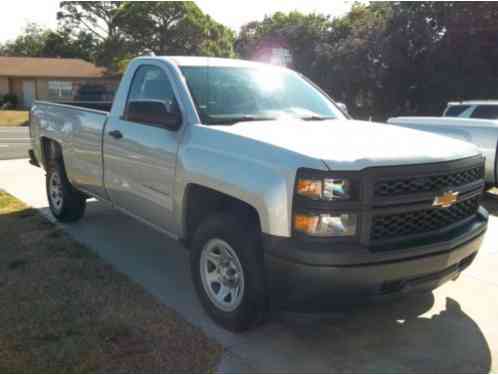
{"points": [[328, 189]]}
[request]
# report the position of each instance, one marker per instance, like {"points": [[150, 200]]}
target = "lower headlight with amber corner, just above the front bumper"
{"points": [[326, 225]]}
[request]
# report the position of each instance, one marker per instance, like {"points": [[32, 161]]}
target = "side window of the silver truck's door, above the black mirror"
{"points": [[150, 84]]}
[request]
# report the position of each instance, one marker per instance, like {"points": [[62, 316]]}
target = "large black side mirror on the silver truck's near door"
{"points": [[155, 113]]}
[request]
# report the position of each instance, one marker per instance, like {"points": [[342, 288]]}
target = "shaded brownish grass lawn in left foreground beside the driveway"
{"points": [[63, 309]]}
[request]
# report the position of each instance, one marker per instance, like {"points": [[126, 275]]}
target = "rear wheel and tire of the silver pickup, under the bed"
{"points": [[66, 203]]}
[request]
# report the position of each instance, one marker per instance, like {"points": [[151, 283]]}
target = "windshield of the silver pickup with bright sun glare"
{"points": [[226, 95]]}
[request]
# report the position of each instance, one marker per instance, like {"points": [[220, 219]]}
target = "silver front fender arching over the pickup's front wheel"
{"points": [[257, 173]]}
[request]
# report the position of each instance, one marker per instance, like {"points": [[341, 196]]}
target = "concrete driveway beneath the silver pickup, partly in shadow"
{"points": [[452, 330]]}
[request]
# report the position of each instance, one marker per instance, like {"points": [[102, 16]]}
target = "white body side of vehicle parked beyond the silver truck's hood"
{"points": [[482, 133]]}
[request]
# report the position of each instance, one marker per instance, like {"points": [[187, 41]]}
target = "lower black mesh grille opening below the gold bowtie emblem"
{"points": [[385, 227]]}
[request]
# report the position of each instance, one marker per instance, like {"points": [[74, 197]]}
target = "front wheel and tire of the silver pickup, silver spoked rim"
{"points": [[227, 271]]}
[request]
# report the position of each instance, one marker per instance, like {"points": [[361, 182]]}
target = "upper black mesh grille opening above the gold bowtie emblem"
{"points": [[427, 184]]}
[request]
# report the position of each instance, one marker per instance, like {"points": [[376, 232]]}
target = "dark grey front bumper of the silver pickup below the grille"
{"points": [[296, 284]]}
